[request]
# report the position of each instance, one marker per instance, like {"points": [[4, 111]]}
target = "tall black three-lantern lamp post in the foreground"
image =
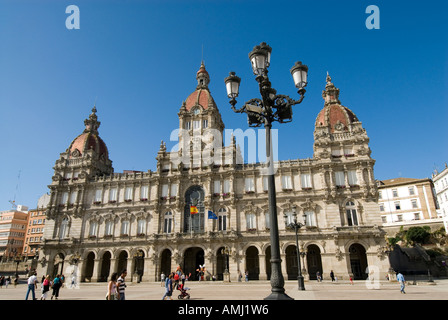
{"points": [[270, 108]]}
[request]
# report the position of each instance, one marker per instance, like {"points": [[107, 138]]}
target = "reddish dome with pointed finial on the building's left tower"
{"points": [[89, 140]]}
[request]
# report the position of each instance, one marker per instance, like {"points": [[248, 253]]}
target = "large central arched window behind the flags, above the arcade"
{"points": [[194, 223]]}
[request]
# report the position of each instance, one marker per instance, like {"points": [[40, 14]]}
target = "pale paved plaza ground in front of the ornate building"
{"points": [[252, 290]]}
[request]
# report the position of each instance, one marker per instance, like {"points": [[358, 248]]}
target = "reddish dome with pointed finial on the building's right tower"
{"points": [[334, 115]]}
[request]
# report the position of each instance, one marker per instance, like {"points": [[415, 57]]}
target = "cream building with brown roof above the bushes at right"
{"points": [[406, 202]]}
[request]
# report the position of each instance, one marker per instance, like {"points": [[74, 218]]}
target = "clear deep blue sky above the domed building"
{"points": [[138, 60]]}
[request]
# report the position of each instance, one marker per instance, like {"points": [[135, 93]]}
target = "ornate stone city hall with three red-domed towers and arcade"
{"points": [[100, 221]]}
